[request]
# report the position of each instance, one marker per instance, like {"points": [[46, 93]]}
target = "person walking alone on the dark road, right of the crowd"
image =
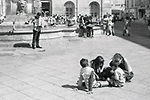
{"points": [[126, 26]]}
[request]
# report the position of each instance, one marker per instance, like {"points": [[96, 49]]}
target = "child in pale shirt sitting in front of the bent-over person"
{"points": [[117, 79]]}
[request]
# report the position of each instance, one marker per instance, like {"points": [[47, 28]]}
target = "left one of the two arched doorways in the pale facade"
{"points": [[69, 9]]}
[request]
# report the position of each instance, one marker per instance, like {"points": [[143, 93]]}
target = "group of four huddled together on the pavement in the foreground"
{"points": [[94, 75]]}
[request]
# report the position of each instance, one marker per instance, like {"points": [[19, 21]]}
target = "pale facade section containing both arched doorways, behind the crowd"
{"points": [[95, 8]]}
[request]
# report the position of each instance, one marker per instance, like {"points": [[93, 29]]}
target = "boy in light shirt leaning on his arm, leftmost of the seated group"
{"points": [[87, 77]]}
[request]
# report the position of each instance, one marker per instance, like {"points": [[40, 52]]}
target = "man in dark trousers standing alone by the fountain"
{"points": [[37, 25]]}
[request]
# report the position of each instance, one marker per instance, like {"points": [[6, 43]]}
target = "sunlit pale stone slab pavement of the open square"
{"points": [[28, 74]]}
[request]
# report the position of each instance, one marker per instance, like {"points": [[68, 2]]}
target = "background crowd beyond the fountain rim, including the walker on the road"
{"points": [[85, 23]]}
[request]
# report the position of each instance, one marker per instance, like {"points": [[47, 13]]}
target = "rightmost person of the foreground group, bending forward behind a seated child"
{"points": [[124, 65]]}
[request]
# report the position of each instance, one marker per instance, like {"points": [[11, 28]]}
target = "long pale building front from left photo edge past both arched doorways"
{"points": [[95, 8]]}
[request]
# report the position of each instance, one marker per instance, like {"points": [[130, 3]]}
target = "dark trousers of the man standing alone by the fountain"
{"points": [[36, 36]]}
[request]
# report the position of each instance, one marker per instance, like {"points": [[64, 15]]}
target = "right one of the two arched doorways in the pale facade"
{"points": [[95, 9]]}
